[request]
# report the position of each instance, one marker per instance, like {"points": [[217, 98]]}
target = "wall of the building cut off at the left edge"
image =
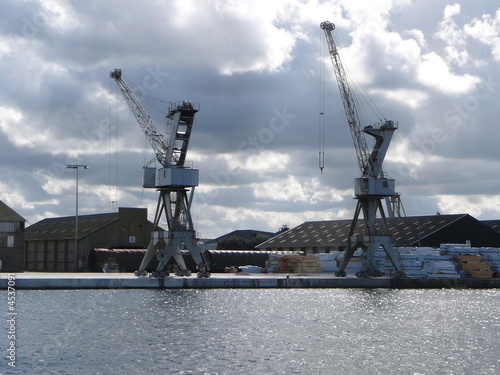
{"points": [[12, 247]]}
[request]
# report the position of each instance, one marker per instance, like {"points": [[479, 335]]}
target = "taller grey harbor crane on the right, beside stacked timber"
{"points": [[373, 185]]}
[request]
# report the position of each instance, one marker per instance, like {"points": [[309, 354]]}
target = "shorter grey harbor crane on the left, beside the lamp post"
{"points": [[175, 181]]}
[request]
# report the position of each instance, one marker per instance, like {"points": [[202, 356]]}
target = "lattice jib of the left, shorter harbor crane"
{"points": [[147, 124]]}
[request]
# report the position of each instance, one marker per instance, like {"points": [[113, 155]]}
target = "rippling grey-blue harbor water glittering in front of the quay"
{"points": [[254, 331]]}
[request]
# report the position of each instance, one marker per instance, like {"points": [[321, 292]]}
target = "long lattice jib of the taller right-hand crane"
{"points": [[351, 112]]}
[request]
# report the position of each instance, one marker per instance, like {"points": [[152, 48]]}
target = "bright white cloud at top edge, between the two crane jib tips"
{"points": [[255, 42]]}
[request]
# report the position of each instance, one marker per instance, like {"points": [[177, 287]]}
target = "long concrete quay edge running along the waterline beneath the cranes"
{"points": [[35, 280]]}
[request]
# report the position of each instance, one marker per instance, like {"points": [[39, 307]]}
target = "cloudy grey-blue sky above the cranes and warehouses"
{"points": [[257, 69]]}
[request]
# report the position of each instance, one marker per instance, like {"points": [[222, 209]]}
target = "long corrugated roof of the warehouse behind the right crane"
{"points": [[406, 231]]}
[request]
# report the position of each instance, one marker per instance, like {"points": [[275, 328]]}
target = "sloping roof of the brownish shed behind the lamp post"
{"points": [[64, 227]]}
